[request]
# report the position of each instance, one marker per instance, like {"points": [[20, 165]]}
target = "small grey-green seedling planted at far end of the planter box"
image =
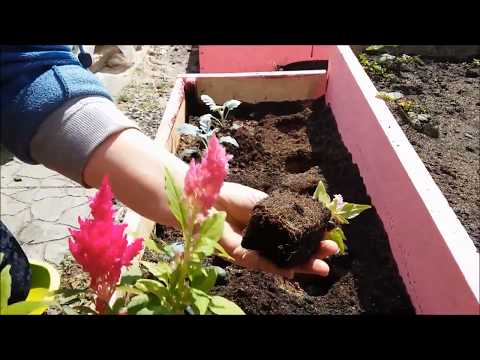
{"points": [[205, 130]]}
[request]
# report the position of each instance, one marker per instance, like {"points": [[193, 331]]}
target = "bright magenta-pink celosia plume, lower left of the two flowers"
{"points": [[101, 247]]}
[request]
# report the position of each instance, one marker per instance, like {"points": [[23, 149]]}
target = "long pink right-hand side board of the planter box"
{"points": [[435, 256]]}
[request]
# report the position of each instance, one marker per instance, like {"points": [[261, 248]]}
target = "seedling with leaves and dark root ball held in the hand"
{"points": [[286, 227]]}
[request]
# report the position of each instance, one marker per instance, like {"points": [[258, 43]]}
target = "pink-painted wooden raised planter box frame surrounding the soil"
{"points": [[435, 256]]}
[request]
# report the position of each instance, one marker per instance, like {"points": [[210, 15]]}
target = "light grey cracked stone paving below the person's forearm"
{"points": [[38, 206]]}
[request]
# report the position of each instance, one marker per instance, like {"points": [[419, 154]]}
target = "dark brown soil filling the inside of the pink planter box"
{"points": [[289, 143]]}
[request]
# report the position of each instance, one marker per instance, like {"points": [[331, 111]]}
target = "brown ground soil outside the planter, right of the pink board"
{"points": [[449, 92]]}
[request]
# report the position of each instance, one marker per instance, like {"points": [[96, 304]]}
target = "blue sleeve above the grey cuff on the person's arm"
{"points": [[34, 81]]}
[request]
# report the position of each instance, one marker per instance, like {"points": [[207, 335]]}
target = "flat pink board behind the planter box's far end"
{"points": [[250, 58]]}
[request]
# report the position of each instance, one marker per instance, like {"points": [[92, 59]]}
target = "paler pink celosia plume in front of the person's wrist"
{"points": [[204, 181]]}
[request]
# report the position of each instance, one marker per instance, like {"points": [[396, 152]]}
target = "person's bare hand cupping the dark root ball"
{"points": [[238, 201]]}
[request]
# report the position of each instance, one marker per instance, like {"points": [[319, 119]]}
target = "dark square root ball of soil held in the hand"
{"points": [[285, 228]]}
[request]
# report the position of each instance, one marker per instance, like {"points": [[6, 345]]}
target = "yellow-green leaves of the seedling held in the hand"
{"points": [[341, 211]]}
